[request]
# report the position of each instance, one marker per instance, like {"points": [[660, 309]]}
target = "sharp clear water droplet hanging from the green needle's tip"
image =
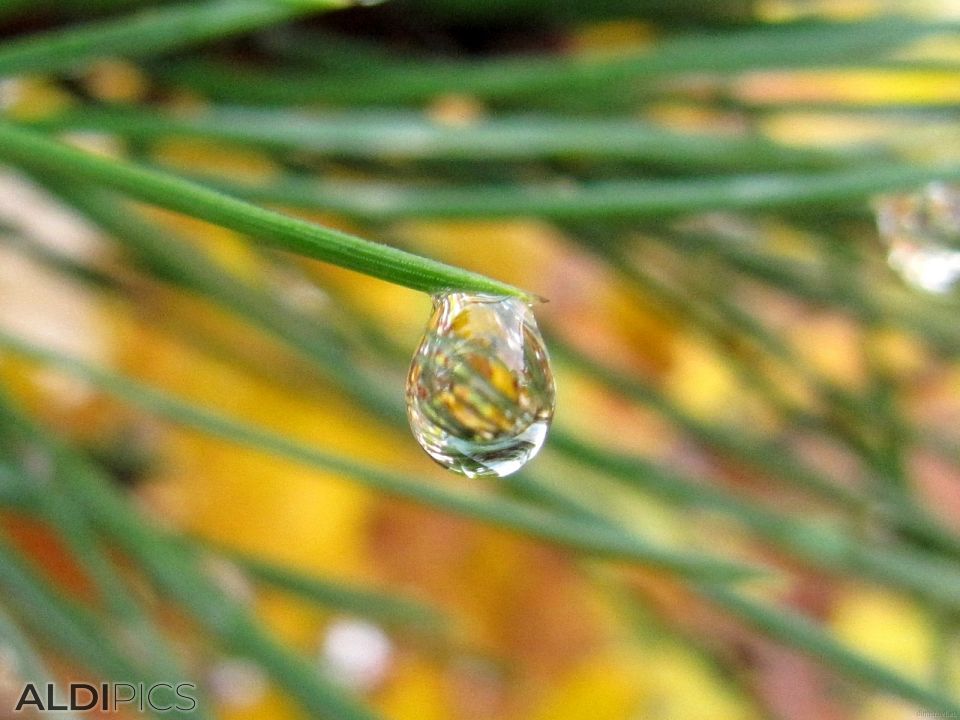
{"points": [[480, 392]]}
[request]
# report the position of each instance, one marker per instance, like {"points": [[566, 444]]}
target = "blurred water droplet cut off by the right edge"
{"points": [[922, 233]]}
